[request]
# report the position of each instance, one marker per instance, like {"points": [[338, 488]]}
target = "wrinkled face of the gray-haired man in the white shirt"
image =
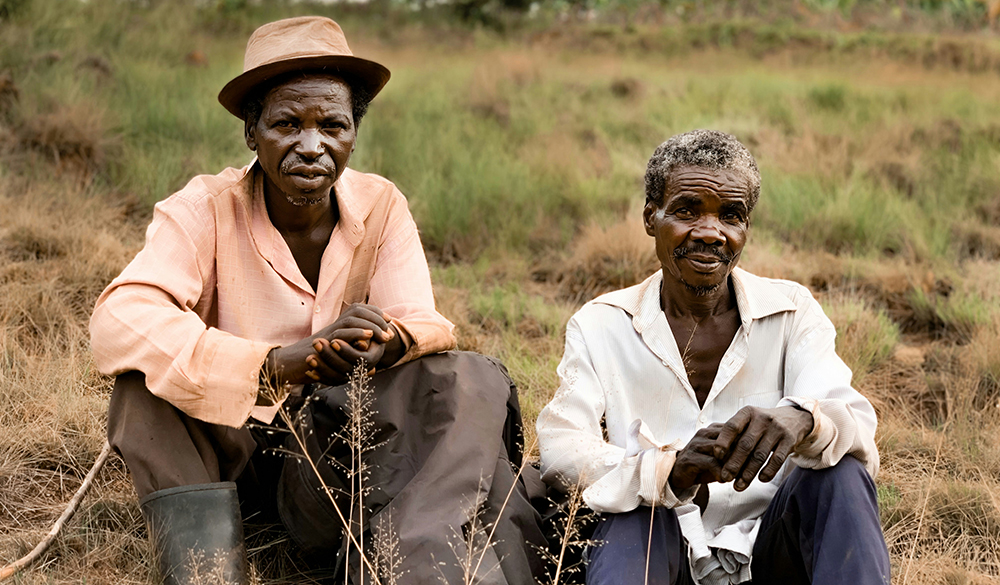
{"points": [[700, 228]]}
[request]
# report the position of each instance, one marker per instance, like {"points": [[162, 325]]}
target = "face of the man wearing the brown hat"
{"points": [[304, 137]]}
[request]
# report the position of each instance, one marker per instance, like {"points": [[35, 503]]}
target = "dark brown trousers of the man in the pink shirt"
{"points": [[449, 430]]}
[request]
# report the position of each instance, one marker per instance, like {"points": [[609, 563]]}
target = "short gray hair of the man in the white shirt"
{"points": [[706, 149]]}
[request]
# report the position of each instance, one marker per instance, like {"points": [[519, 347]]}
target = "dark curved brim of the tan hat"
{"points": [[371, 75]]}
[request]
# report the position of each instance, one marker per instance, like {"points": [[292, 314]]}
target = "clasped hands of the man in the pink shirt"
{"points": [[362, 332]]}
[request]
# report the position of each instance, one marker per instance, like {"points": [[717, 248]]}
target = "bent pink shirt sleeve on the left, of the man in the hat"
{"points": [[146, 320]]}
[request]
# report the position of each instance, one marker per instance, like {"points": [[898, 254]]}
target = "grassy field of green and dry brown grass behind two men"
{"points": [[522, 156]]}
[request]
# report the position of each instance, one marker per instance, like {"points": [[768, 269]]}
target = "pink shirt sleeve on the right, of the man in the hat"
{"points": [[401, 286]]}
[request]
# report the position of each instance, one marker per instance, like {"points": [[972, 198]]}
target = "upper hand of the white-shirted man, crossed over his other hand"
{"points": [[759, 433]]}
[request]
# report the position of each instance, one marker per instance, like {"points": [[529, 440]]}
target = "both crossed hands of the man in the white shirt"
{"points": [[753, 440]]}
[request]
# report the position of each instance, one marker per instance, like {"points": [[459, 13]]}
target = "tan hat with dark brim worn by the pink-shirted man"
{"points": [[299, 44]]}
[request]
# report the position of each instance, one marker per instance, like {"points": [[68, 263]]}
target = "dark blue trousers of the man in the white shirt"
{"points": [[821, 528]]}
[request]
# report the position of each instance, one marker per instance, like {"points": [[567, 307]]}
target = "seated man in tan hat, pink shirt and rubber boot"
{"points": [[281, 278]]}
